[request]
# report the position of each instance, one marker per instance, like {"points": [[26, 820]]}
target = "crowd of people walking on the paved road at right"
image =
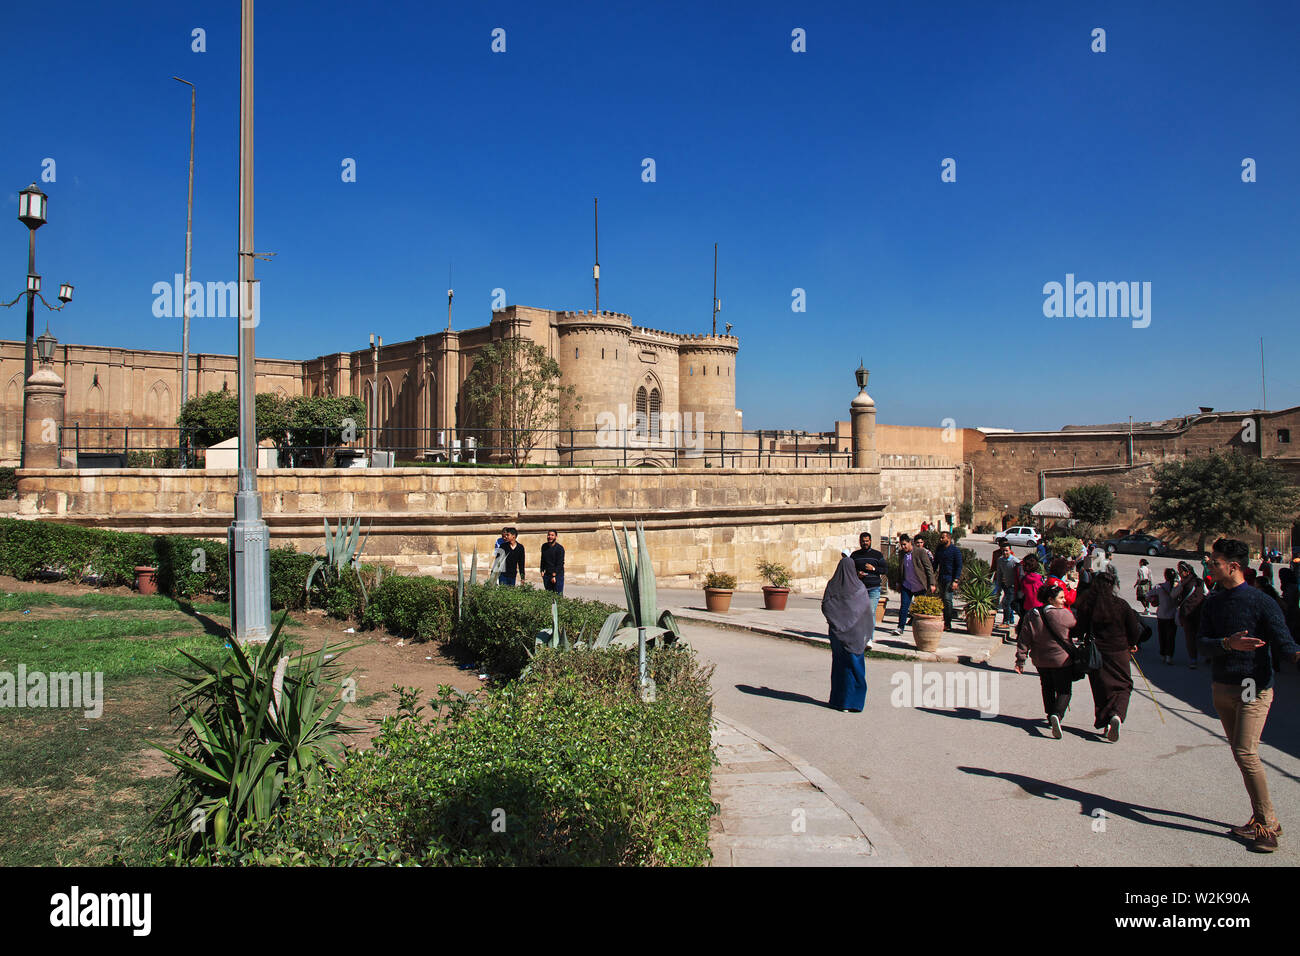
{"points": [[1074, 622]]}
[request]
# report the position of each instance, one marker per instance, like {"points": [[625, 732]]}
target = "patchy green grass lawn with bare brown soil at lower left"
{"points": [[76, 790]]}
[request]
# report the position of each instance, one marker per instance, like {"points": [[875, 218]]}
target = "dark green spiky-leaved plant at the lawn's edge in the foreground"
{"points": [[259, 724]]}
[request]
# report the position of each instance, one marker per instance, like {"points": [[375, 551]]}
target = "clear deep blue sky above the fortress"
{"points": [[818, 171]]}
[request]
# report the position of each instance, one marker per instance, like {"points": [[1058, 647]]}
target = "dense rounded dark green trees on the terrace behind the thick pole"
{"points": [[306, 429]]}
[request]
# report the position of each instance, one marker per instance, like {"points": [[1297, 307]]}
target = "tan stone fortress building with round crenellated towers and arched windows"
{"points": [[649, 380]]}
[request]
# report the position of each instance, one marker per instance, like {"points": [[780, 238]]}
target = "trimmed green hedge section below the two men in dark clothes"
{"points": [[500, 624]]}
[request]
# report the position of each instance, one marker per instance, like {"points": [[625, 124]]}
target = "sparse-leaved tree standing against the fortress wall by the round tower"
{"points": [[515, 387]]}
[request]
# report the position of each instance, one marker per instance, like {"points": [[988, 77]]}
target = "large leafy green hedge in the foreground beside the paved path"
{"points": [[570, 767]]}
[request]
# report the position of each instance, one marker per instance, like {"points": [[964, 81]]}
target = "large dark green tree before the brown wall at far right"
{"points": [[1221, 495]]}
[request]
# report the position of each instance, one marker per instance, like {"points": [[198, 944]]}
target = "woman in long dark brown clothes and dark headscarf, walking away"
{"points": [[1117, 631]]}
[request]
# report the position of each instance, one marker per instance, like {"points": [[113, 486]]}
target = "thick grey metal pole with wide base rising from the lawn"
{"points": [[250, 565]]}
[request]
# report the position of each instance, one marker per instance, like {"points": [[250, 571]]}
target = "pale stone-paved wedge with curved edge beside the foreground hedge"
{"points": [[765, 789]]}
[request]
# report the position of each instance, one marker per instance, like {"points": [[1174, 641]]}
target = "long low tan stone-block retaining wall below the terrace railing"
{"points": [[696, 521]]}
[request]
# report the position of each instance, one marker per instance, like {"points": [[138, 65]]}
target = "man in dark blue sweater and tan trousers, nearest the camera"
{"points": [[1238, 626]]}
